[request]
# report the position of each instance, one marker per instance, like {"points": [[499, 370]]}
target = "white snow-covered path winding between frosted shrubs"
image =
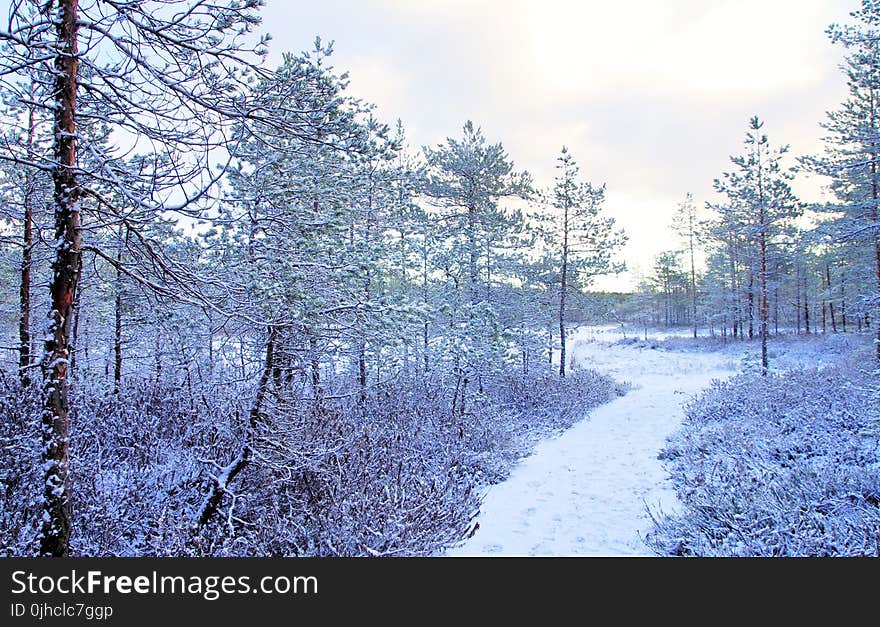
{"points": [[585, 492]]}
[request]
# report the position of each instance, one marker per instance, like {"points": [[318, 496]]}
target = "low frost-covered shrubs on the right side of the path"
{"points": [[786, 465]]}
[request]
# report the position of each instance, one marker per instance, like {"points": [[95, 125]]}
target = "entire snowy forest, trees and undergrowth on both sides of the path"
{"points": [[243, 316]]}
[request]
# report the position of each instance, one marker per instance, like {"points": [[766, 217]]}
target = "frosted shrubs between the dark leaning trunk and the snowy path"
{"points": [[395, 475]]}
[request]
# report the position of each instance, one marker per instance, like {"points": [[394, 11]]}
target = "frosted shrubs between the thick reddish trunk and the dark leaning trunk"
{"points": [[135, 464]]}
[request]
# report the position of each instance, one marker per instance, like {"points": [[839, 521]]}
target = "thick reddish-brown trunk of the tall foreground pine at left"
{"points": [[55, 531]]}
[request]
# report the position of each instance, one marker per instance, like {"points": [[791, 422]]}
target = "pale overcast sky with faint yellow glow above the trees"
{"points": [[650, 96]]}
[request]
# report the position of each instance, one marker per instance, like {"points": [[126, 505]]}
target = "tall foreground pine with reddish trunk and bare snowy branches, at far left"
{"points": [[171, 81]]}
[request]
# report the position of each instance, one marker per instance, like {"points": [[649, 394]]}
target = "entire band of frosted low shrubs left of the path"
{"points": [[393, 474]]}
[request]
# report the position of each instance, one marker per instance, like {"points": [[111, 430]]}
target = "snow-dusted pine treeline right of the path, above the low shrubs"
{"points": [[773, 262]]}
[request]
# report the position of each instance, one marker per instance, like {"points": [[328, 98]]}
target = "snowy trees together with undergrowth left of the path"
{"points": [[267, 317]]}
